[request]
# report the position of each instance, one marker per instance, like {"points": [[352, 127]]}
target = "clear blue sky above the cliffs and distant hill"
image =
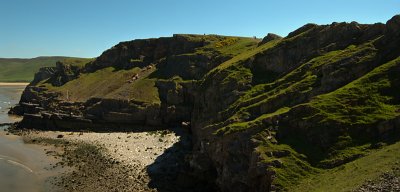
{"points": [[85, 28]]}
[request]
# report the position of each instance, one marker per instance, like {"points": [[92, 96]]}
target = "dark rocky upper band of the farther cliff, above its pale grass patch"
{"points": [[174, 56]]}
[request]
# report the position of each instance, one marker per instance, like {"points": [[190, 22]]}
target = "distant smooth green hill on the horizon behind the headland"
{"points": [[23, 70]]}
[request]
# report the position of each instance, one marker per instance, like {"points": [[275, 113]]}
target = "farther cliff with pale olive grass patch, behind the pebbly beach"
{"points": [[142, 82]]}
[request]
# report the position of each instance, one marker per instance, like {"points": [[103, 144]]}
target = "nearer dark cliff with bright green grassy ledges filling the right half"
{"points": [[311, 89]]}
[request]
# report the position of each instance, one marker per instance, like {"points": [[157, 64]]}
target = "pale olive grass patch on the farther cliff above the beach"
{"points": [[110, 83]]}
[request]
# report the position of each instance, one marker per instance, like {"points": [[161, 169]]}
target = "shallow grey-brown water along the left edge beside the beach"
{"points": [[23, 167]]}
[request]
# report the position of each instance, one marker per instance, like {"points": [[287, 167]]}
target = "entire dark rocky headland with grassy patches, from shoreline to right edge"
{"points": [[263, 114]]}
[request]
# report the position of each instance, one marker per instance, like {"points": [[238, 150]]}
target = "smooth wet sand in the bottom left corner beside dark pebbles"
{"points": [[25, 167]]}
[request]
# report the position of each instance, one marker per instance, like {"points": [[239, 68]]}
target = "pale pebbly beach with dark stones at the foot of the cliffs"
{"points": [[121, 161]]}
